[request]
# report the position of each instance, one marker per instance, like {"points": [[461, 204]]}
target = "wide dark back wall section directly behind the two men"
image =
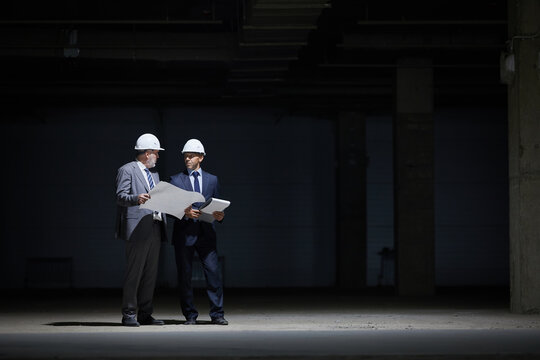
{"points": [[272, 166]]}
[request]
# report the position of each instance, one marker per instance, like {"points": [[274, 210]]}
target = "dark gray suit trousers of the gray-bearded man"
{"points": [[142, 255]]}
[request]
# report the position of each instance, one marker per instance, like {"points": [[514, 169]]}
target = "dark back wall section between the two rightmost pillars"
{"points": [[471, 197]]}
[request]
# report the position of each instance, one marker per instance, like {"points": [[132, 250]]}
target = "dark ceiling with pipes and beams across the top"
{"points": [[306, 52]]}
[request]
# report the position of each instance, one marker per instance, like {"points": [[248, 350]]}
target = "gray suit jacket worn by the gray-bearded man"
{"points": [[129, 217]]}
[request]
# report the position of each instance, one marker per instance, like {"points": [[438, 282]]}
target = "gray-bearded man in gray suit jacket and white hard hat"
{"points": [[142, 229]]}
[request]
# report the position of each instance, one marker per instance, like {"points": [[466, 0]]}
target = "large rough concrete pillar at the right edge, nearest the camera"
{"points": [[524, 156]]}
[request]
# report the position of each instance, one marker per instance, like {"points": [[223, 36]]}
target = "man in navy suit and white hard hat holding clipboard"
{"points": [[190, 235]]}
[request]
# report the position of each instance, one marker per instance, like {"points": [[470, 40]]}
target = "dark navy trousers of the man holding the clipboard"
{"points": [[214, 284]]}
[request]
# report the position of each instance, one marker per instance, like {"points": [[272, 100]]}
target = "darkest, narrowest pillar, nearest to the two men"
{"points": [[351, 196]]}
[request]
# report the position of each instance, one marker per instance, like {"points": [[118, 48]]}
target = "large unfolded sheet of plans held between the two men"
{"points": [[171, 200]]}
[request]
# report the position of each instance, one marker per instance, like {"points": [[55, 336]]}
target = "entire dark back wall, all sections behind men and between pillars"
{"points": [[276, 169]]}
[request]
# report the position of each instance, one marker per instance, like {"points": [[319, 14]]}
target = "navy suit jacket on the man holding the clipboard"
{"points": [[186, 231]]}
